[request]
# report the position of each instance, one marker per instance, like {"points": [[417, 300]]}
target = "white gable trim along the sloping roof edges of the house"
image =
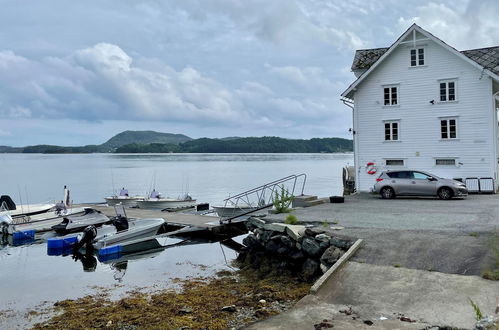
{"points": [[348, 93]]}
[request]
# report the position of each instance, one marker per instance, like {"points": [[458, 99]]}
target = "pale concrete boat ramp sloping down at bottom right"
{"points": [[375, 292]]}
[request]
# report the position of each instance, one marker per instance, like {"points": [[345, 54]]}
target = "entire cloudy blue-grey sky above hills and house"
{"points": [[78, 72]]}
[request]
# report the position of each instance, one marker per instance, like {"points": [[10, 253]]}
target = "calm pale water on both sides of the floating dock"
{"points": [[29, 278]]}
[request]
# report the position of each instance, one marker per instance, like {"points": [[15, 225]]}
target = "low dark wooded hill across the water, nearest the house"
{"points": [[268, 144]]}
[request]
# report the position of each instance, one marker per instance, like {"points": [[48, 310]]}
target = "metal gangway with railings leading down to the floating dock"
{"points": [[261, 197]]}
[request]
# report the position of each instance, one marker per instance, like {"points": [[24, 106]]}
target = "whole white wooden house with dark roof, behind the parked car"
{"points": [[422, 104]]}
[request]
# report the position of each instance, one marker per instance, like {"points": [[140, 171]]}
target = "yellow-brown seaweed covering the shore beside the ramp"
{"points": [[199, 304]]}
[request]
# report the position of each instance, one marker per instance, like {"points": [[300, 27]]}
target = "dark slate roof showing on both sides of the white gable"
{"points": [[485, 57]]}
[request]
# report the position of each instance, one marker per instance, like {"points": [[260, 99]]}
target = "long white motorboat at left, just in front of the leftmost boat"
{"points": [[43, 221]]}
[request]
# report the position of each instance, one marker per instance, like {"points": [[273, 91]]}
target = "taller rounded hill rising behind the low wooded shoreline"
{"points": [[142, 137]]}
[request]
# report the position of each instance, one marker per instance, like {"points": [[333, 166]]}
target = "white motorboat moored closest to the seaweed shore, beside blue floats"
{"points": [[110, 235]]}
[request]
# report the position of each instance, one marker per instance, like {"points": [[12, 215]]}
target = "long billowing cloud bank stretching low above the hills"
{"points": [[103, 82]]}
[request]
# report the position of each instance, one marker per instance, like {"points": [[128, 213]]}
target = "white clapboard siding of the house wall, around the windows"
{"points": [[419, 131]]}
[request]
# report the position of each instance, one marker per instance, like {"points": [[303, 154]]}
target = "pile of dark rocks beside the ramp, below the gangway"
{"points": [[306, 250]]}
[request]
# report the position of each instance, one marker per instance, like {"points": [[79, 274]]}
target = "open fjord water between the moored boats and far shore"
{"points": [[206, 177]]}
